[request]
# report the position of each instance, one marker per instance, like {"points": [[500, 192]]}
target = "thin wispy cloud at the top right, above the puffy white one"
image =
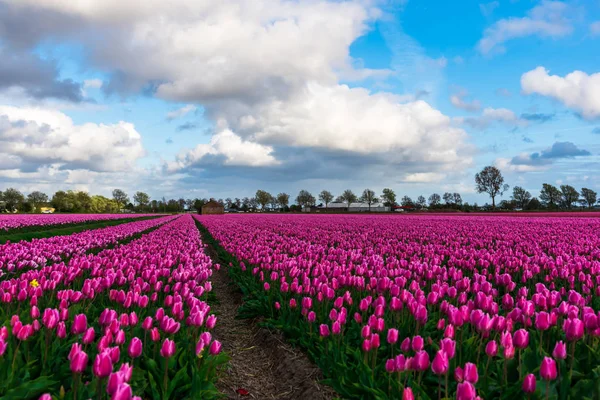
{"points": [[549, 19]]}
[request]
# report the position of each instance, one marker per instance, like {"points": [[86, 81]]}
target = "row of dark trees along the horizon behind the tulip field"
{"points": [[489, 180]]}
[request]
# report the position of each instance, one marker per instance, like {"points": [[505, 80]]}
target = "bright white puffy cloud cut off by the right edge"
{"points": [[577, 90]]}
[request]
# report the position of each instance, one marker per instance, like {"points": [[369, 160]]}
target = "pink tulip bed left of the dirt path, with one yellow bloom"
{"points": [[129, 321]]}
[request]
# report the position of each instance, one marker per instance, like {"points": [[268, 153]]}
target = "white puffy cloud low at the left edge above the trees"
{"points": [[34, 137]]}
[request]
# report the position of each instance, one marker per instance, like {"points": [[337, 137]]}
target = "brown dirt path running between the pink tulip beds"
{"points": [[261, 363]]}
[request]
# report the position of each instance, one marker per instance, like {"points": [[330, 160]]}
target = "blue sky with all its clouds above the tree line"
{"points": [[218, 99]]}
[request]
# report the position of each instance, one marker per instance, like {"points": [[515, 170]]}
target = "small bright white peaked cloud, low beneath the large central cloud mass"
{"points": [[228, 149]]}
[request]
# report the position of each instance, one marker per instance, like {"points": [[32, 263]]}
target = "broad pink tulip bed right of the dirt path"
{"points": [[427, 307]]}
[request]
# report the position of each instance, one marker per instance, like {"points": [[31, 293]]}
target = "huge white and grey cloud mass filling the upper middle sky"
{"points": [[268, 78]]}
